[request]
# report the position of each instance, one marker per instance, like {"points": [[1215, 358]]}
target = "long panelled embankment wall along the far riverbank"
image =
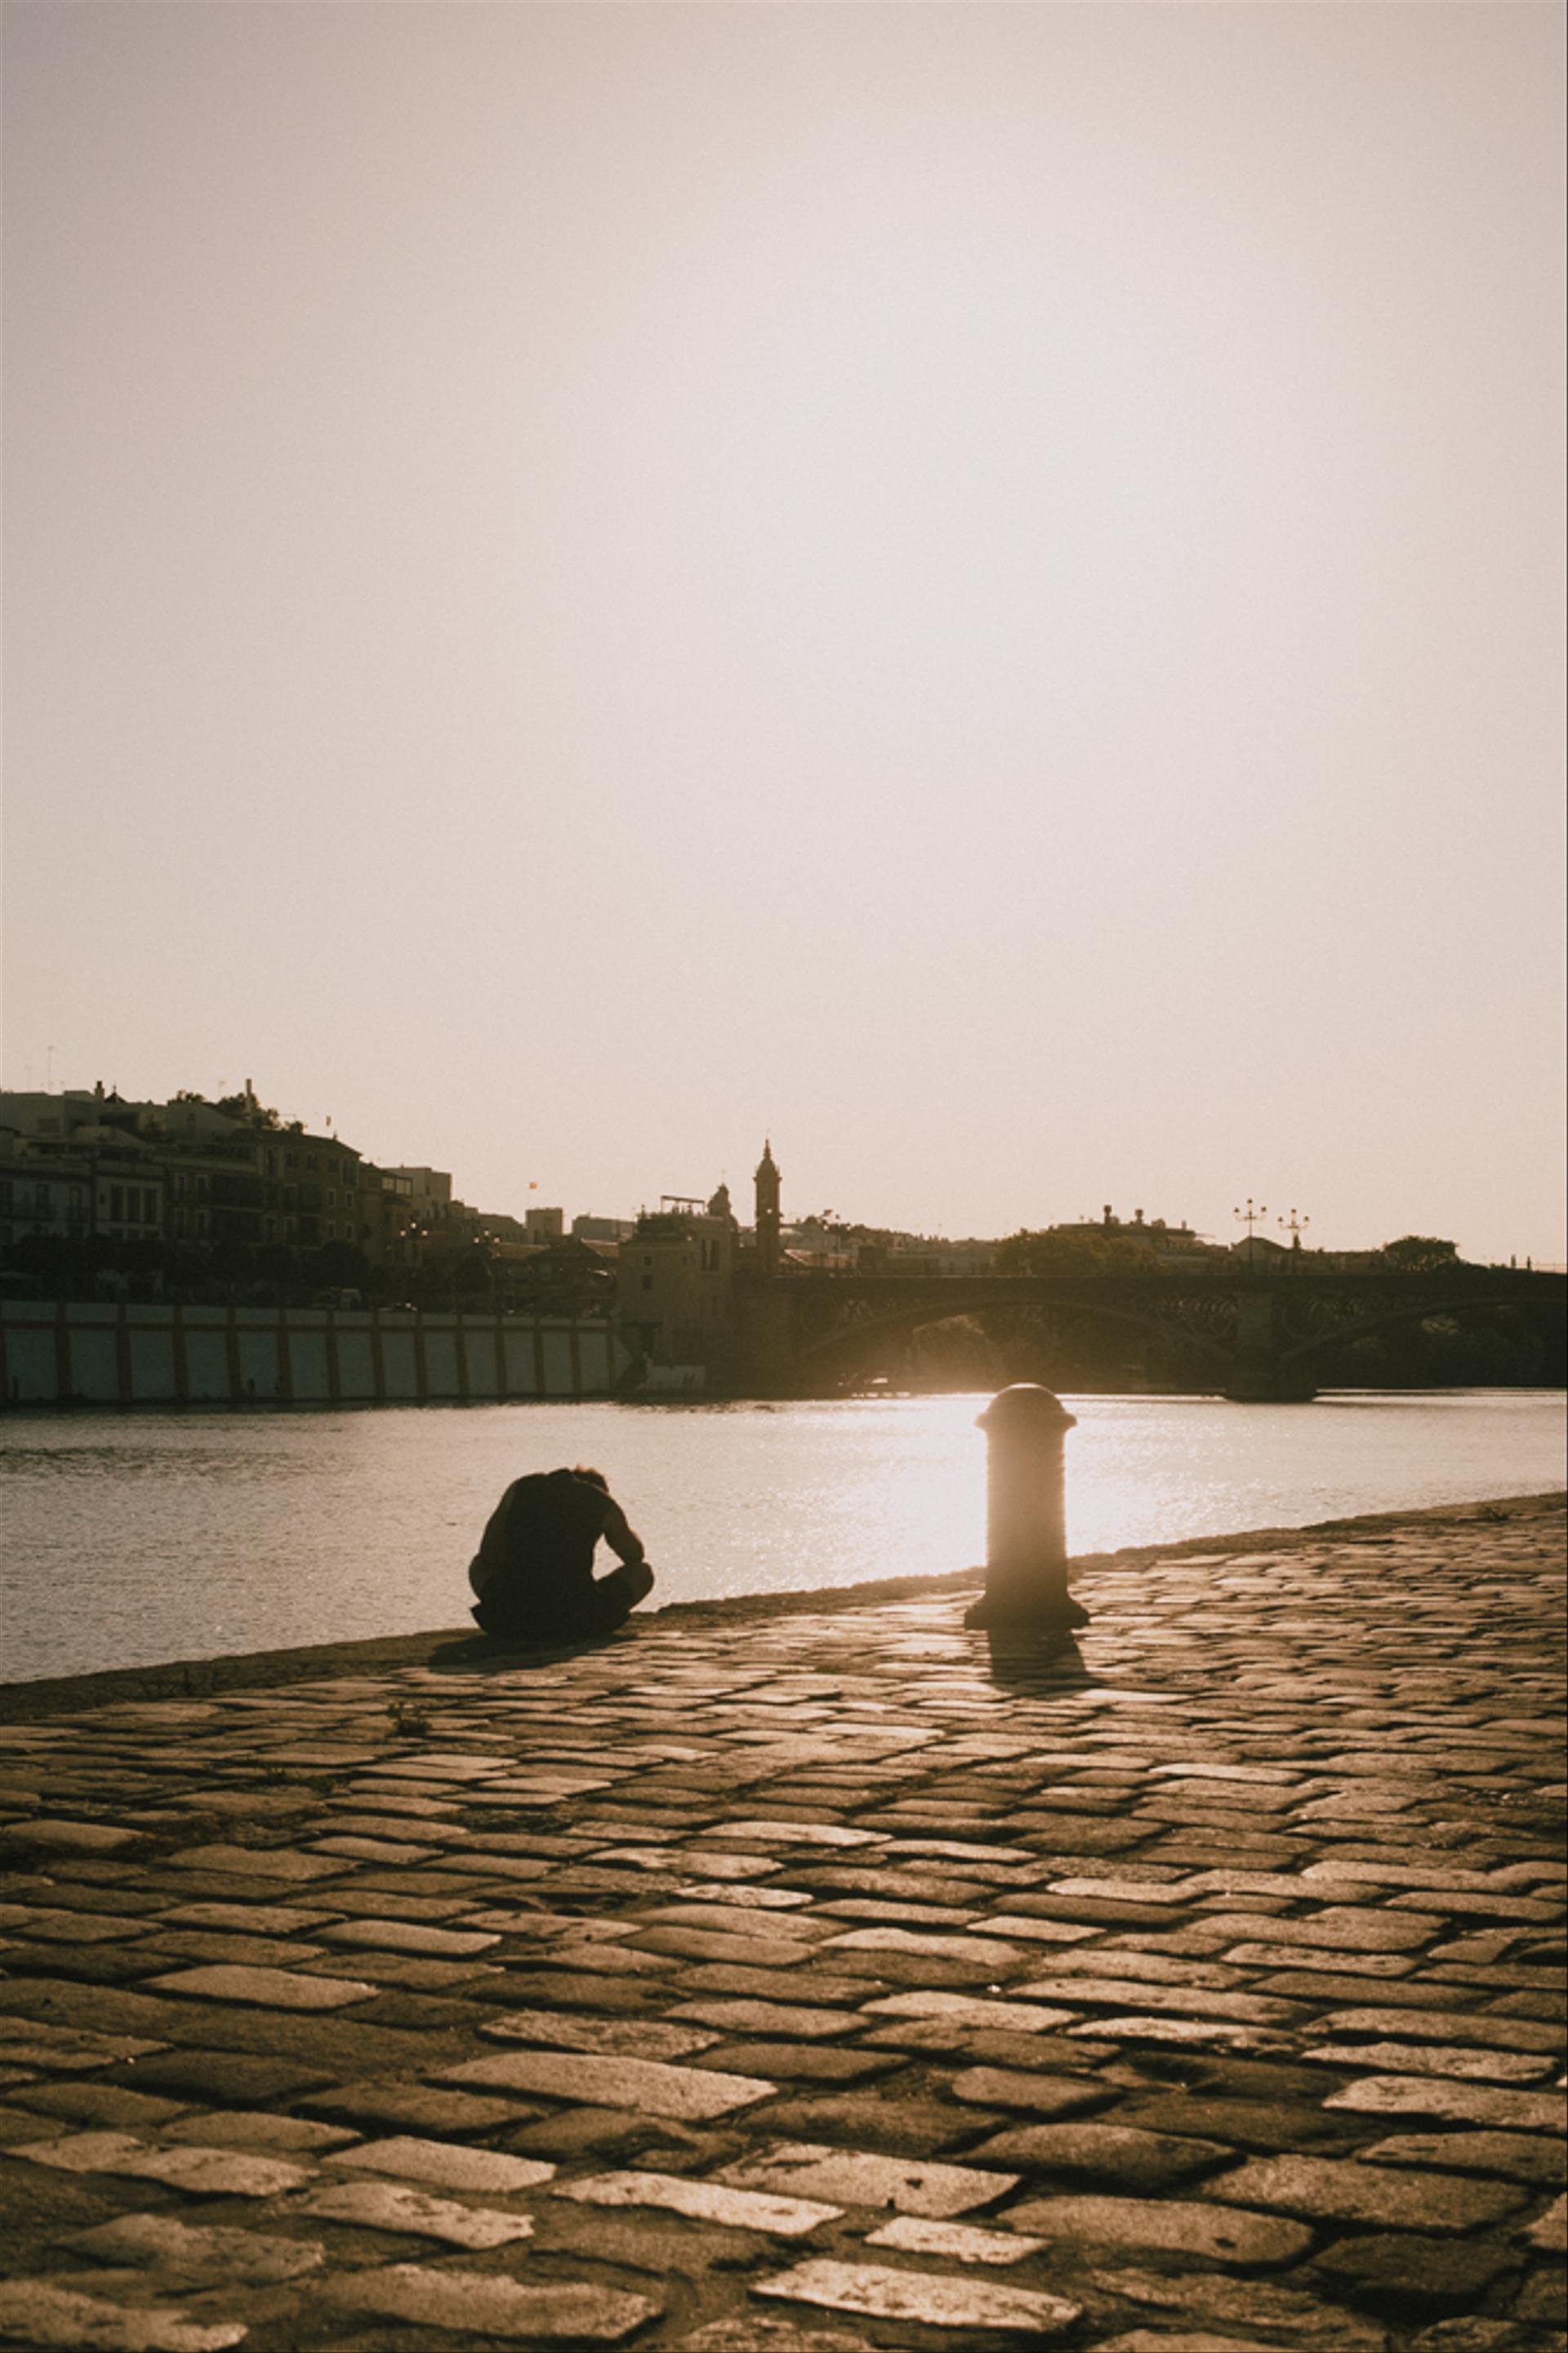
{"points": [[114, 1354]]}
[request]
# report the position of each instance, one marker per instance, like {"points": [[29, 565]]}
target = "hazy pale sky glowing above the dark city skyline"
{"points": [[976, 589]]}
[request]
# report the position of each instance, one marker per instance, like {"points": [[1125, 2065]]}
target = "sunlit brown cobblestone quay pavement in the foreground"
{"points": [[811, 1982]]}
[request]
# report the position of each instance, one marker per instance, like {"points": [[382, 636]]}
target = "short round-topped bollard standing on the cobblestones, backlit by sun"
{"points": [[1025, 1514]]}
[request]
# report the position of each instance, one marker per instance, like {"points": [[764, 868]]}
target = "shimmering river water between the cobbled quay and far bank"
{"points": [[142, 1538]]}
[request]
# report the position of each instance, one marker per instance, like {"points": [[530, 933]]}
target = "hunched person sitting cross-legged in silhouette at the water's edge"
{"points": [[536, 1564]]}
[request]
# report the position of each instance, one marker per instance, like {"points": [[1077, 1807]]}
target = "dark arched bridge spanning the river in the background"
{"points": [[1251, 1335]]}
